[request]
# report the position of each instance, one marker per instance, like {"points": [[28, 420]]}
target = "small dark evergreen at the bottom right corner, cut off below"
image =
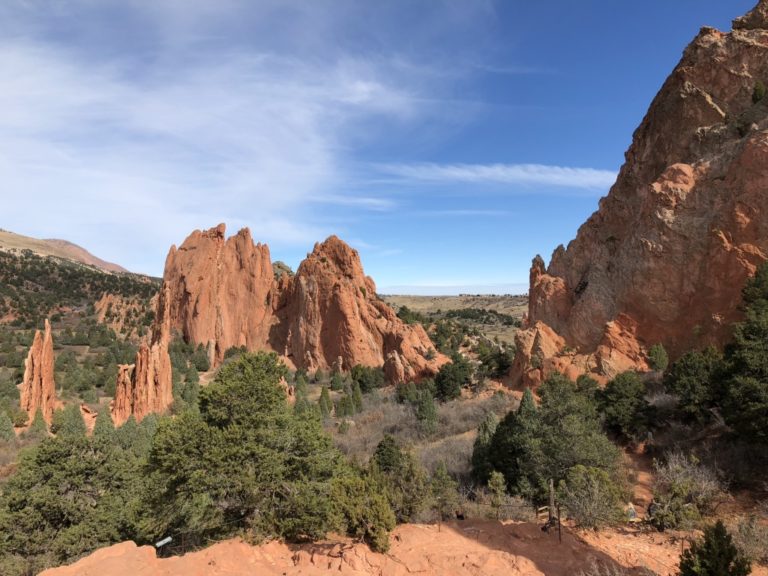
{"points": [[715, 555]]}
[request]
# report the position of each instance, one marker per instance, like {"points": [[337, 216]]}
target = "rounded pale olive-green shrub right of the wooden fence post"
{"points": [[591, 497]]}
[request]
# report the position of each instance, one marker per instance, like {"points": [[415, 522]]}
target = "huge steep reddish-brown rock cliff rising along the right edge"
{"points": [[666, 255]]}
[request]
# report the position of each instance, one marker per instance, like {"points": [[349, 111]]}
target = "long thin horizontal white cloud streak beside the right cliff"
{"points": [[527, 174]]}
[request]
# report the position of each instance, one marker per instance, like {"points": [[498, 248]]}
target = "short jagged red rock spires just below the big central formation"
{"points": [[144, 387]]}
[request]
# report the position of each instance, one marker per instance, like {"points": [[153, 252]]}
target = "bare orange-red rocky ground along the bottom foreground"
{"points": [[473, 548]]}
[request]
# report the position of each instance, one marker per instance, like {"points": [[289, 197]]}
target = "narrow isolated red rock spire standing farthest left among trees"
{"points": [[38, 389]]}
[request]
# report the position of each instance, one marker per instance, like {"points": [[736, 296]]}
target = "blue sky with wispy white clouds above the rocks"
{"points": [[448, 140]]}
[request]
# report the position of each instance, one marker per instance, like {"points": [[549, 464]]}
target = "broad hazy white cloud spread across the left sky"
{"points": [[256, 135]]}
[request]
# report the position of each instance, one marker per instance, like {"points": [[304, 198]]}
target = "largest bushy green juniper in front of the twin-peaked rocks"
{"points": [[246, 462]]}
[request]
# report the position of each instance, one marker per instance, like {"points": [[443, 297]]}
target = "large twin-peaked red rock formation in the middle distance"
{"points": [[224, 293]]}
